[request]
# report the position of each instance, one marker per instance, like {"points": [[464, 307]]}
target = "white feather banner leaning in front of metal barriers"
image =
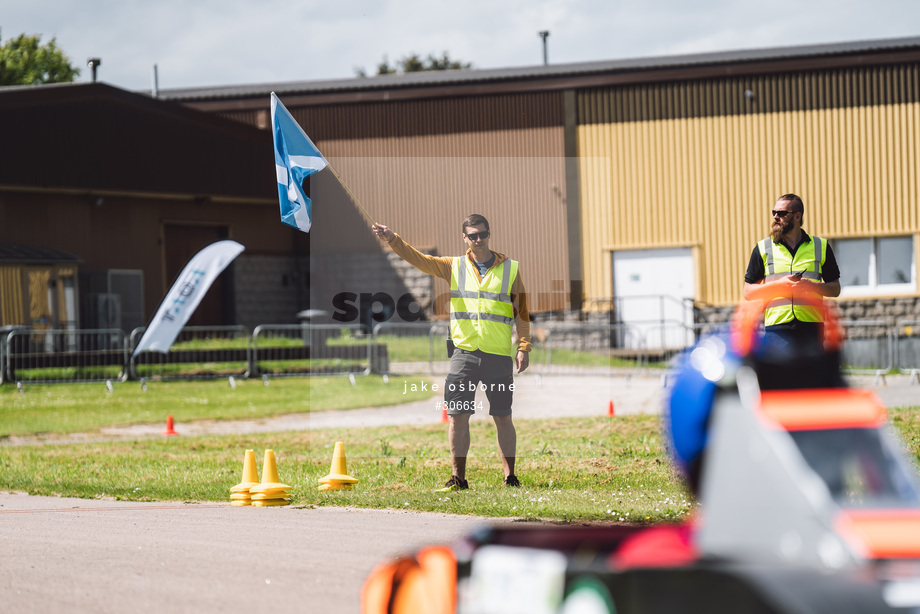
{"points": [[186, 294]]}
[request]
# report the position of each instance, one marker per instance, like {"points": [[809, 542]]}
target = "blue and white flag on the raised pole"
{"points": [[296, 158]]}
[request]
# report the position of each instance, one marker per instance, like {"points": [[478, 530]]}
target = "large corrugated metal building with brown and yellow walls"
{"points": [[599, 177]]}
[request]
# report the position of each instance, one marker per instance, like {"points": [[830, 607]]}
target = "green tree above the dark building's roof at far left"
{"points": [[25, 61]]}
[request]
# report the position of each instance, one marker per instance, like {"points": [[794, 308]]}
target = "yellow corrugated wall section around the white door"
{"points": [[699, 164]]}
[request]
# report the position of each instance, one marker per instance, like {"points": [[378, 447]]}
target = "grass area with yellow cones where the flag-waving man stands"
{"points": [[571, 469]]}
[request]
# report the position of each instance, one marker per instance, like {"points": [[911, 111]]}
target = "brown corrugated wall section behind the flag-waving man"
{"points": [[422, 166]]}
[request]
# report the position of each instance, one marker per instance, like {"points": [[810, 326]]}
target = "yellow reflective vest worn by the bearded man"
{"points": [[778, 263]]}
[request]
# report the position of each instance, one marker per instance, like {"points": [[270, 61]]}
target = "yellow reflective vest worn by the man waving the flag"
{"points": [[481, 314]]}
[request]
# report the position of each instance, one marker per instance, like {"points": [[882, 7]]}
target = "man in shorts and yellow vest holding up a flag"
{"points": [[487, 298]]}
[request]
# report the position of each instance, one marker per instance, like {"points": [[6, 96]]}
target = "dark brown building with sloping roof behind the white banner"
{"points": [[106, 194]]}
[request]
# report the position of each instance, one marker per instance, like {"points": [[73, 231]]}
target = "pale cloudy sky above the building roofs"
{"points": [[205, 43]]}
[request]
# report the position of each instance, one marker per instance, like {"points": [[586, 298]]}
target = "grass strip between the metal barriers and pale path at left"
{"points": [[70, 408]]}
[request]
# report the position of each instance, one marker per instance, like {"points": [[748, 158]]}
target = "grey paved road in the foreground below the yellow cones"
{"points": [[76, 555]]}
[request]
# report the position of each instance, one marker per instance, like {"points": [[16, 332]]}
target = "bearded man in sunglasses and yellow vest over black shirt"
{"points": [[798, 265]]}
